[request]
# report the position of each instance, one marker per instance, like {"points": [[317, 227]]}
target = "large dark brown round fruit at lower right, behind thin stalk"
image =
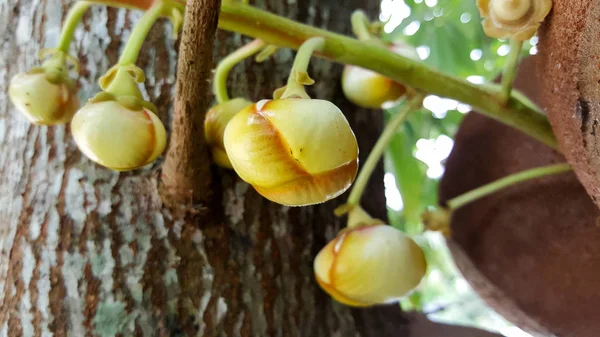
{"points": [[531, 250]]}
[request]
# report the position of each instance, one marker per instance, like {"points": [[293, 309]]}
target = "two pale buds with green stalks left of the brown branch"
{"points": [[117, 128]]}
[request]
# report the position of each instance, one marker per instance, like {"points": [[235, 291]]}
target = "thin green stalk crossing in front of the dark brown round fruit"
{"points": [[499, 184]]}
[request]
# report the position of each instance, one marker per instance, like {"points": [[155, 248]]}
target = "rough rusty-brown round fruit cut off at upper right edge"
{"points": [[569, 64]]}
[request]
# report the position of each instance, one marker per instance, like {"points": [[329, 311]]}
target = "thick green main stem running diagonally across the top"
{"points": [[283, 32]]}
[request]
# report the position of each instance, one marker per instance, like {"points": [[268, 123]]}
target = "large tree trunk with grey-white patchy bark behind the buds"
{"points": [[91, 252]]}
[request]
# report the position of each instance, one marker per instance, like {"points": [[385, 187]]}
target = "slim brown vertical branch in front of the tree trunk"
{"points": [[186, 174]]}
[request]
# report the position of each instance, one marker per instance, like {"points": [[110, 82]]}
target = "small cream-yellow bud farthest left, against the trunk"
{"points": [[42, 98]]}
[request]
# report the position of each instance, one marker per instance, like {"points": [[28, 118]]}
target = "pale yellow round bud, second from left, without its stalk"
{"points": [[117, 135]]}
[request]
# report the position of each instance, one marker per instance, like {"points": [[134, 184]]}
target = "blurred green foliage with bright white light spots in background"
{"points": [[448, 36]]}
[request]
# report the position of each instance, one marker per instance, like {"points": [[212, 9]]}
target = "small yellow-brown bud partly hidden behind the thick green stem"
{"points": [[369, 89]]}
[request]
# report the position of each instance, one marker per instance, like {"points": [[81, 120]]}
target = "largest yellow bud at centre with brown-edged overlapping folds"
{"points": [[293, 151]]}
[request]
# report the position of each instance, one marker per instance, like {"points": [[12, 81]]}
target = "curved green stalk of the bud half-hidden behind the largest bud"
{"points": [[225, 66]]}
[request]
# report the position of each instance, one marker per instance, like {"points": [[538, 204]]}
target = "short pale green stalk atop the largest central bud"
{"points": [[299, 73]]}
